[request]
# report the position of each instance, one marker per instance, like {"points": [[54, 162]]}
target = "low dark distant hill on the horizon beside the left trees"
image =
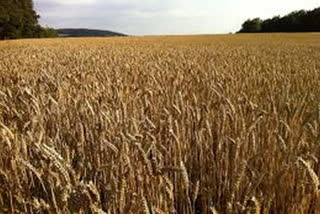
{"points": [[81, 32]]}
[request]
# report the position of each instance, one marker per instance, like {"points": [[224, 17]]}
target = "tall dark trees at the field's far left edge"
{"points": [[18, 19]]}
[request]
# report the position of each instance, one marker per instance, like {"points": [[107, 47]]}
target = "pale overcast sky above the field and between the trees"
{"points": [[163, 17]]}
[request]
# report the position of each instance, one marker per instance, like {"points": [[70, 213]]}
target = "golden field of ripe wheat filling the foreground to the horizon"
{"points": [[185, 125]]}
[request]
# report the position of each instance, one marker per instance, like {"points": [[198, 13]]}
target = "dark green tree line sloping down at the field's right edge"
{"points": [[297, 21]]}
